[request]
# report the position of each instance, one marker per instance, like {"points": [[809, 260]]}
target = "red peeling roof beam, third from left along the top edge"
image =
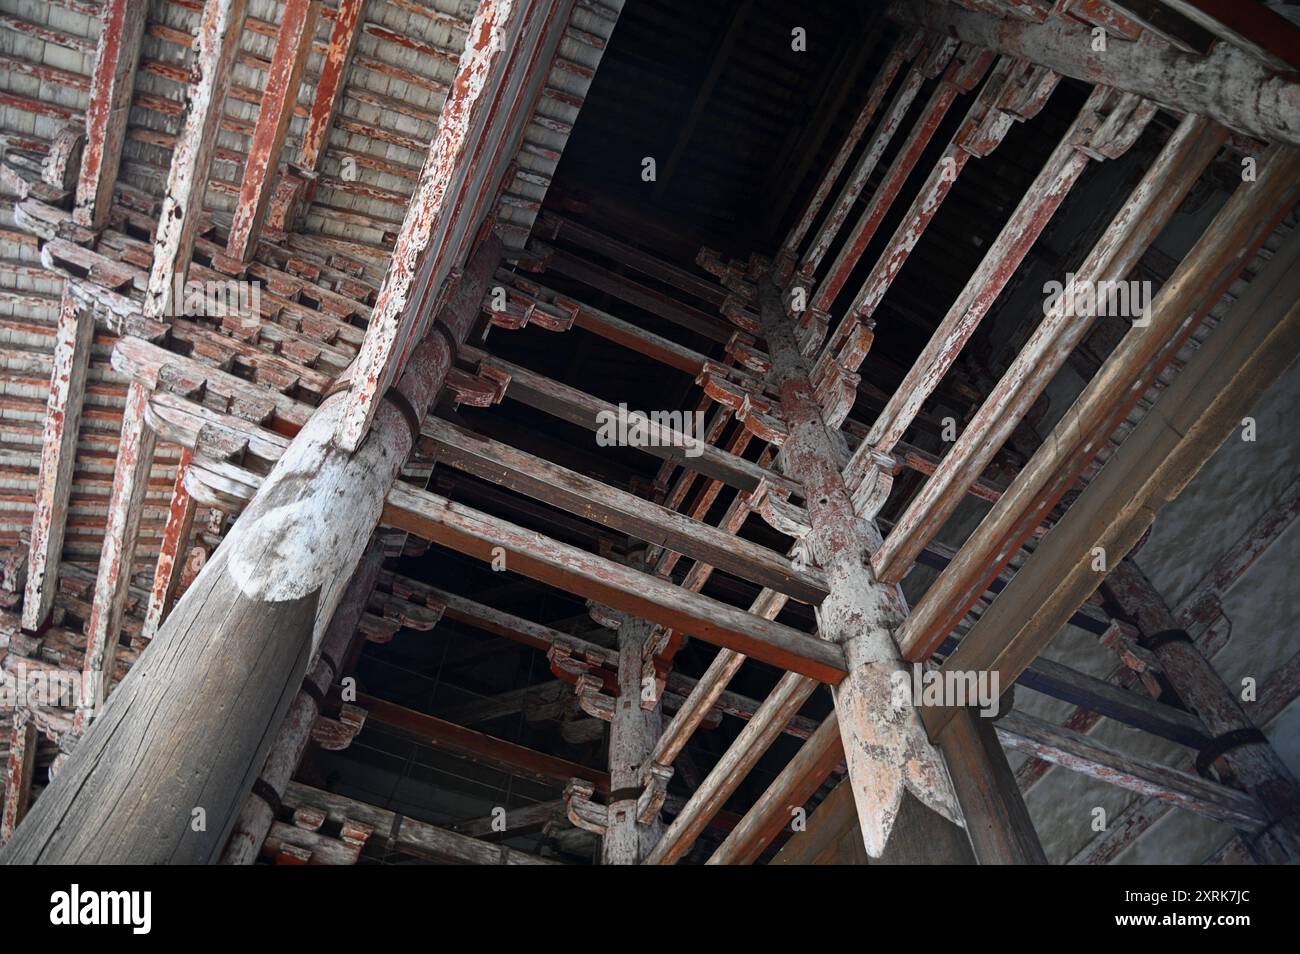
{"points": [[280, 97]]}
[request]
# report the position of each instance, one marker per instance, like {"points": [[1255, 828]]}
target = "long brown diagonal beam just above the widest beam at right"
{"points": [[1195, 288]]}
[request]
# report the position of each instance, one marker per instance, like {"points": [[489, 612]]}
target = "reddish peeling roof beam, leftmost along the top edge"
{"points": [[112, 84]]}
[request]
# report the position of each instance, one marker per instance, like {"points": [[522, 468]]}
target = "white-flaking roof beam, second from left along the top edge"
{"points": [[192, 159]]}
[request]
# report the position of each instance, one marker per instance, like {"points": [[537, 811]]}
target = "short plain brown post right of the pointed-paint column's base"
{"points": [[998, 822]]}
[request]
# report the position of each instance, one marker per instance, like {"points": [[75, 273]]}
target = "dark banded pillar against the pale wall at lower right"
{"points": [[1243, 749]]}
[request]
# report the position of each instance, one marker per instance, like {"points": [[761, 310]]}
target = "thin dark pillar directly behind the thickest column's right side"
{"points": [[285, 756]]}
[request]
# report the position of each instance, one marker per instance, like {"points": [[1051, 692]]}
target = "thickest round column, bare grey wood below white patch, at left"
{"points": [[163, 773]]}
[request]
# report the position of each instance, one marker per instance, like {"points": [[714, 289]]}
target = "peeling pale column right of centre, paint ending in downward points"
{"points": [[885, 741]]}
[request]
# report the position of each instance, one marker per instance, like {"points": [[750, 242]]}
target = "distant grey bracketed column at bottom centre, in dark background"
{"points": [[634, 732]]}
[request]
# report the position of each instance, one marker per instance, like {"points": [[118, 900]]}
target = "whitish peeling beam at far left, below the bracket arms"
{"points": [[73, 339]]}
